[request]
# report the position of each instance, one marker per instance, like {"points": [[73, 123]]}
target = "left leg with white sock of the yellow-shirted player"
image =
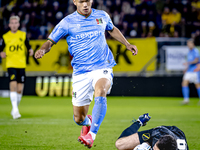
{"points": [[13, 97]]}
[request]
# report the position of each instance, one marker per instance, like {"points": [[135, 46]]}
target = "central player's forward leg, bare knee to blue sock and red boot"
{"points": [[99, 110]]}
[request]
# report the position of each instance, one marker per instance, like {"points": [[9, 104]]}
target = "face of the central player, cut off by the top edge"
{"points": [[83, 6]]}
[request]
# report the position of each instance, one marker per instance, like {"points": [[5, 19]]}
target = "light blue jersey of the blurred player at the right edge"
{"points": [[194, 53]]}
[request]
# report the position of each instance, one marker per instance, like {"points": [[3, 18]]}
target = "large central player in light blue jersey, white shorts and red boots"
{"points": [[92, 63]]}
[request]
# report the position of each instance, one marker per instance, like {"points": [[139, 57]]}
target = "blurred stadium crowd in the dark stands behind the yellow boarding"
{"points": [[135, 18]]}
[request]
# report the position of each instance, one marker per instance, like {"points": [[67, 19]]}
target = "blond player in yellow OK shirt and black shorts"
{"points": [[13, 48]]}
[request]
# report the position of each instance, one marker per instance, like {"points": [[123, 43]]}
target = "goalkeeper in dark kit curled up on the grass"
{"points": [[159, 138]]}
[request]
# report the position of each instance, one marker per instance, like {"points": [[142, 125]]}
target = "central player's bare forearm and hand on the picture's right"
{"points": [[115, 33]]}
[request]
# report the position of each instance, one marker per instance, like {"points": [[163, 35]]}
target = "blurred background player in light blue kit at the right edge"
{"points": [[191, 76]]}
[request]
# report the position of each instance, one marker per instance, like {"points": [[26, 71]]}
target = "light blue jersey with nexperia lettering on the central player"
{"points": [[86, 40]]}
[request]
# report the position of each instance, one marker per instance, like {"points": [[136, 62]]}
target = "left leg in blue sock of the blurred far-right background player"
{"points": [[185, 91]]}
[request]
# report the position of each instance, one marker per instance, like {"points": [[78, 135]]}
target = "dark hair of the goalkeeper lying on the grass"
{"points": [[167, 142]]}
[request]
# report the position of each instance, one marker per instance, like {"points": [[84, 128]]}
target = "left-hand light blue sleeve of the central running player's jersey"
{"points": [[59, 31]]}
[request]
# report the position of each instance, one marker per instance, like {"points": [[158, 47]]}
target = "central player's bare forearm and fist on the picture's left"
{"points": [[44, 49]]}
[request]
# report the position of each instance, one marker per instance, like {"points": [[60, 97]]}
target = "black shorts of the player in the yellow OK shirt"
{"points": [[17, 74]]}
